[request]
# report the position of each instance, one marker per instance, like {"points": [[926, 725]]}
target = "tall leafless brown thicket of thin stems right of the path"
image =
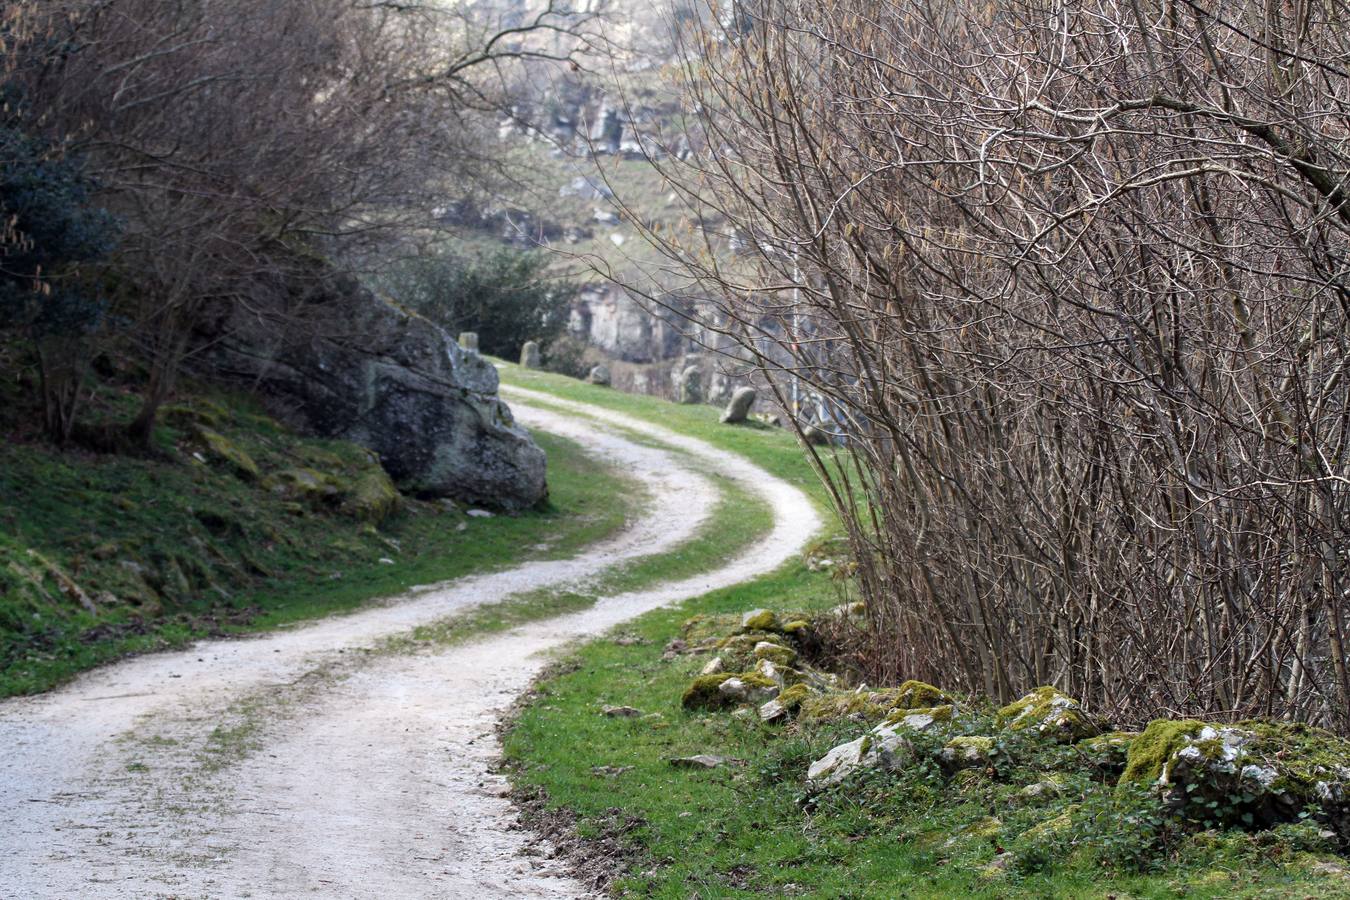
{"points": [[1075, 277]]}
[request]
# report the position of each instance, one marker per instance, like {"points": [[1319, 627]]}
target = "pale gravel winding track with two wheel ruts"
{"points": [[302, 764]]}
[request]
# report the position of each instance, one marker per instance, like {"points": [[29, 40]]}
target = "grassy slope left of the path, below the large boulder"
{"points": [[103, 557]]}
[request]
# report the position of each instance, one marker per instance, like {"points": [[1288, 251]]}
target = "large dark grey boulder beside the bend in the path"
{"points": [[341, 362]]}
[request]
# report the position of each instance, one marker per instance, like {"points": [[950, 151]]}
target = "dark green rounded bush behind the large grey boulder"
{"points": [[504, 295]]}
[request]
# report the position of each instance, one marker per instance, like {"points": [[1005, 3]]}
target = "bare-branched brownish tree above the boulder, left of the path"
{"points": [[238, 141]]}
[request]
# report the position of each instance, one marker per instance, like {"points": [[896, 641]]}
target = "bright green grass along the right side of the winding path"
{"points": [[753, 831]]}
